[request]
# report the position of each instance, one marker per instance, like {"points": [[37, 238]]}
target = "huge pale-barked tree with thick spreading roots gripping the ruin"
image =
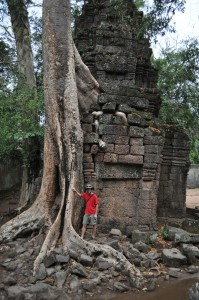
{"points": [[69, 88]]}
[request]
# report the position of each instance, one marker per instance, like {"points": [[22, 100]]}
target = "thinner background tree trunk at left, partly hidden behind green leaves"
{"points": [[21, 29]]}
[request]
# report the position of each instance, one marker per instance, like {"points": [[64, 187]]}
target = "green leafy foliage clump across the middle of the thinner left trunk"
{"points": [[19, 113]]}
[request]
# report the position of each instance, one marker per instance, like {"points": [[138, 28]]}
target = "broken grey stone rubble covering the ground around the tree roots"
{"points": [[75, 275]]}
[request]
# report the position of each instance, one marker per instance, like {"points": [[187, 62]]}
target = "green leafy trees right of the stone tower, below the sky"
{"points": [[178, 85]]}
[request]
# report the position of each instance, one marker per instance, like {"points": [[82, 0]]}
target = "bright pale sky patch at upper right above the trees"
{"points": [[186, 25]]}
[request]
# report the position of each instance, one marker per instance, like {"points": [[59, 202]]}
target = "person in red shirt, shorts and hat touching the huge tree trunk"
{"points": [[91, 210]]}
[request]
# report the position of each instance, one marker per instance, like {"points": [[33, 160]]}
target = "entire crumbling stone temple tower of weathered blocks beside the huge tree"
{"points": [[139, 169]]}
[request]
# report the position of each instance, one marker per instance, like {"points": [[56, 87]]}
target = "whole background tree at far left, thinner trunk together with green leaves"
{"points": [[19, 104]]}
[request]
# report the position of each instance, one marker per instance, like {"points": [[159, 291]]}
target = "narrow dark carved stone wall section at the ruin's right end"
{"points": [[173, 175]]}
